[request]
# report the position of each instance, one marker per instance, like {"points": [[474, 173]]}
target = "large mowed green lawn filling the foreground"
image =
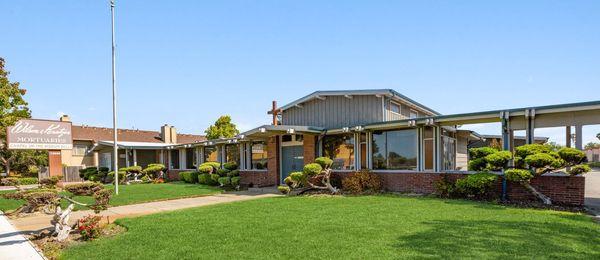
{"points": [[370, 227]]}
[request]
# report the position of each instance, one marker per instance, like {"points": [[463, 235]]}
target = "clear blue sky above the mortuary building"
{"points": [[185, 63]]}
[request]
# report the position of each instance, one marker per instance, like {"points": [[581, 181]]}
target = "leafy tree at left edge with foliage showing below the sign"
{"points": [[13, 107]]}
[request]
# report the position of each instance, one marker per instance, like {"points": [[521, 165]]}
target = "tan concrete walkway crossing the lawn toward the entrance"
{"points": [[40, 221]]}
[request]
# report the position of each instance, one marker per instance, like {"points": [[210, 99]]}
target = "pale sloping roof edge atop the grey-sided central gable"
{"points": [[362, 92]]}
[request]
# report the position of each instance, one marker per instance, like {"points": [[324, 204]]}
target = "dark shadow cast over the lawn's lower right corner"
{"points": [[502, 239]]}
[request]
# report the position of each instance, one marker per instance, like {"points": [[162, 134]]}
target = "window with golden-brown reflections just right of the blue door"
{"points": [[340, 148]]}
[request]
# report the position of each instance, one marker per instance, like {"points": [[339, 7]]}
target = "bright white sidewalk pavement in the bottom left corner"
{"points": [[13, 245]]}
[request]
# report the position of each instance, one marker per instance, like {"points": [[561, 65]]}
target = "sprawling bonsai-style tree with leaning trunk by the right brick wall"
{"points": [[530, 160]]}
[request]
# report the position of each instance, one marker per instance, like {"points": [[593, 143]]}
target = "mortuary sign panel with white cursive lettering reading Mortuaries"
{"points": [[40, 135]]}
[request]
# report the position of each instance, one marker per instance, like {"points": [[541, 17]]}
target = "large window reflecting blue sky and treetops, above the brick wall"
{"points": [[395, 150]]}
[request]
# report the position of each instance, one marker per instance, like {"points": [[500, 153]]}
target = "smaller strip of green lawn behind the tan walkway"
{"points": [[137, 193]]}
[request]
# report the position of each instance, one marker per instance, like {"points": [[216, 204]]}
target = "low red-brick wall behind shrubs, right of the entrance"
{"points": [[564, 190]]}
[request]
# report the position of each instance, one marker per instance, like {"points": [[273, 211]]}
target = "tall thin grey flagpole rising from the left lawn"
{"points": [[115, 146]]}
